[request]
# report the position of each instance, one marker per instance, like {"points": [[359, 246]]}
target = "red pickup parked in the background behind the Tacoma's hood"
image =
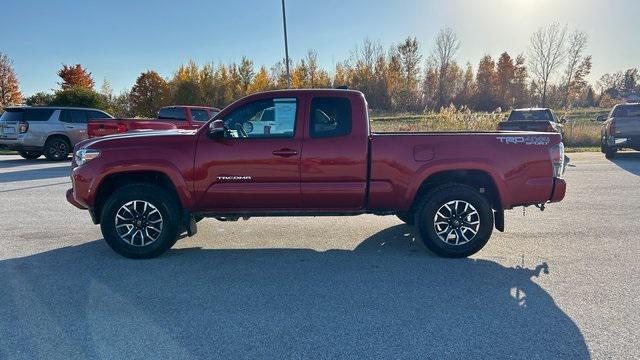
{"points": [[170, 117]]}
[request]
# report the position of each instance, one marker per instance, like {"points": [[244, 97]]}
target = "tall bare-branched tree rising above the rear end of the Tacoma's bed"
{"points": [[546, 54]]}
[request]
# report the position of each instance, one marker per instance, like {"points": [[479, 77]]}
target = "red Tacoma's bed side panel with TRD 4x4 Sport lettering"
{"points": [[400, 160]]}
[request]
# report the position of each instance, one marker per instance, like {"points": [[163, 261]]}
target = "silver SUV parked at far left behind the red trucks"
{"points": [[52, 131]]}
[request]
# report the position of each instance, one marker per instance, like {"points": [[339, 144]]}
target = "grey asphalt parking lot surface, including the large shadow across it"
{"points": [[563, 283]]}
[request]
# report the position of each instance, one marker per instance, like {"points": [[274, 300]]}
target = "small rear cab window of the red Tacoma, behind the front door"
{"points": [[330, 117]]}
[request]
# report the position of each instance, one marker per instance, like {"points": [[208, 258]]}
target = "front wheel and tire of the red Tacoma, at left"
{"points": [[145, 243]]}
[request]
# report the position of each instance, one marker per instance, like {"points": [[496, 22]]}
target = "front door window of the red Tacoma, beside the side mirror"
{"points": [[270, 118]]}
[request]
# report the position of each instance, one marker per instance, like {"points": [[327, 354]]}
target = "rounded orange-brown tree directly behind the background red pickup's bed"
{"points": [[148, 94]]}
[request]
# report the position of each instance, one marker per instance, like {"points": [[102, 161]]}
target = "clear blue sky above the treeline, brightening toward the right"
{"points": [[118, 39]]}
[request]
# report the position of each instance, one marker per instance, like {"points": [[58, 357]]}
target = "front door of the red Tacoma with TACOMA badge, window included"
{"points": [[256, 165]]}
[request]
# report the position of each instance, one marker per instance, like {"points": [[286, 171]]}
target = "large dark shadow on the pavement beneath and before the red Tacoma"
{"points": [[388, 298]]}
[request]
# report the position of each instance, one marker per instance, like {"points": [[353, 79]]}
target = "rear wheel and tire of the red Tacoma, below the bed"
{"points": [[460, 223]]}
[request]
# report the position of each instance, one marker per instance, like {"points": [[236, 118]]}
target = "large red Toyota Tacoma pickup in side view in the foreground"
{"points": [[313, 155]]}
